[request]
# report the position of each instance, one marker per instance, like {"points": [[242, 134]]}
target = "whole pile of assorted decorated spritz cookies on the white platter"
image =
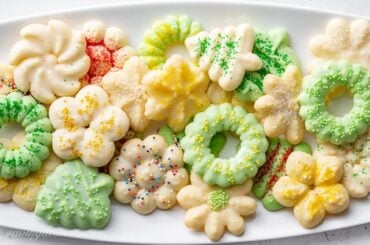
{"points": [[89, 107]]}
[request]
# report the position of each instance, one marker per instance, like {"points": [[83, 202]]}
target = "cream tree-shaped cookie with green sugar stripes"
{"points": [[226, 54]]}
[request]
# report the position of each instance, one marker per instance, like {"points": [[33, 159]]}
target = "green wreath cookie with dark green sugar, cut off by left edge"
{"points": [[19, 161]]}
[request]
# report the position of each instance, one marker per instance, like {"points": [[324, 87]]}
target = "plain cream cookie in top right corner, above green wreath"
{"points": [[343, 40]]}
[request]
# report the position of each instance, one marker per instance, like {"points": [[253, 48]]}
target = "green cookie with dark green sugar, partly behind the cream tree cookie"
{"points": [[274, 51]]}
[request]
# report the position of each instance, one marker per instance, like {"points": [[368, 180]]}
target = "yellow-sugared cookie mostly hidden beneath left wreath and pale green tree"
{"points": [[24, 191]]}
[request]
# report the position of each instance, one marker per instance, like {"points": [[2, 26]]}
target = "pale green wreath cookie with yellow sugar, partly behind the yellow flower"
{"points": [[165, 32]]}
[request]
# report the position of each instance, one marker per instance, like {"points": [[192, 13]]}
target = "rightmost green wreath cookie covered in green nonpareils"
{"points": [[313, 110]]}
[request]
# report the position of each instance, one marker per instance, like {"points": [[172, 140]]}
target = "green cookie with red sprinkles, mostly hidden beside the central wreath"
{"points": [[273, 169]]}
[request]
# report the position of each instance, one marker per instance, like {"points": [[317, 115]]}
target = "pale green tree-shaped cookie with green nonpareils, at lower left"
{"points": [[75, 196]]}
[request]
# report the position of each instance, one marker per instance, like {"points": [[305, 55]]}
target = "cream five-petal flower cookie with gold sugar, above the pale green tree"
{"points": [[87, 126]]}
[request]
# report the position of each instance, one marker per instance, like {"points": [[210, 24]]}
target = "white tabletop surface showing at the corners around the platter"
{"points": [[17, 8]]}
